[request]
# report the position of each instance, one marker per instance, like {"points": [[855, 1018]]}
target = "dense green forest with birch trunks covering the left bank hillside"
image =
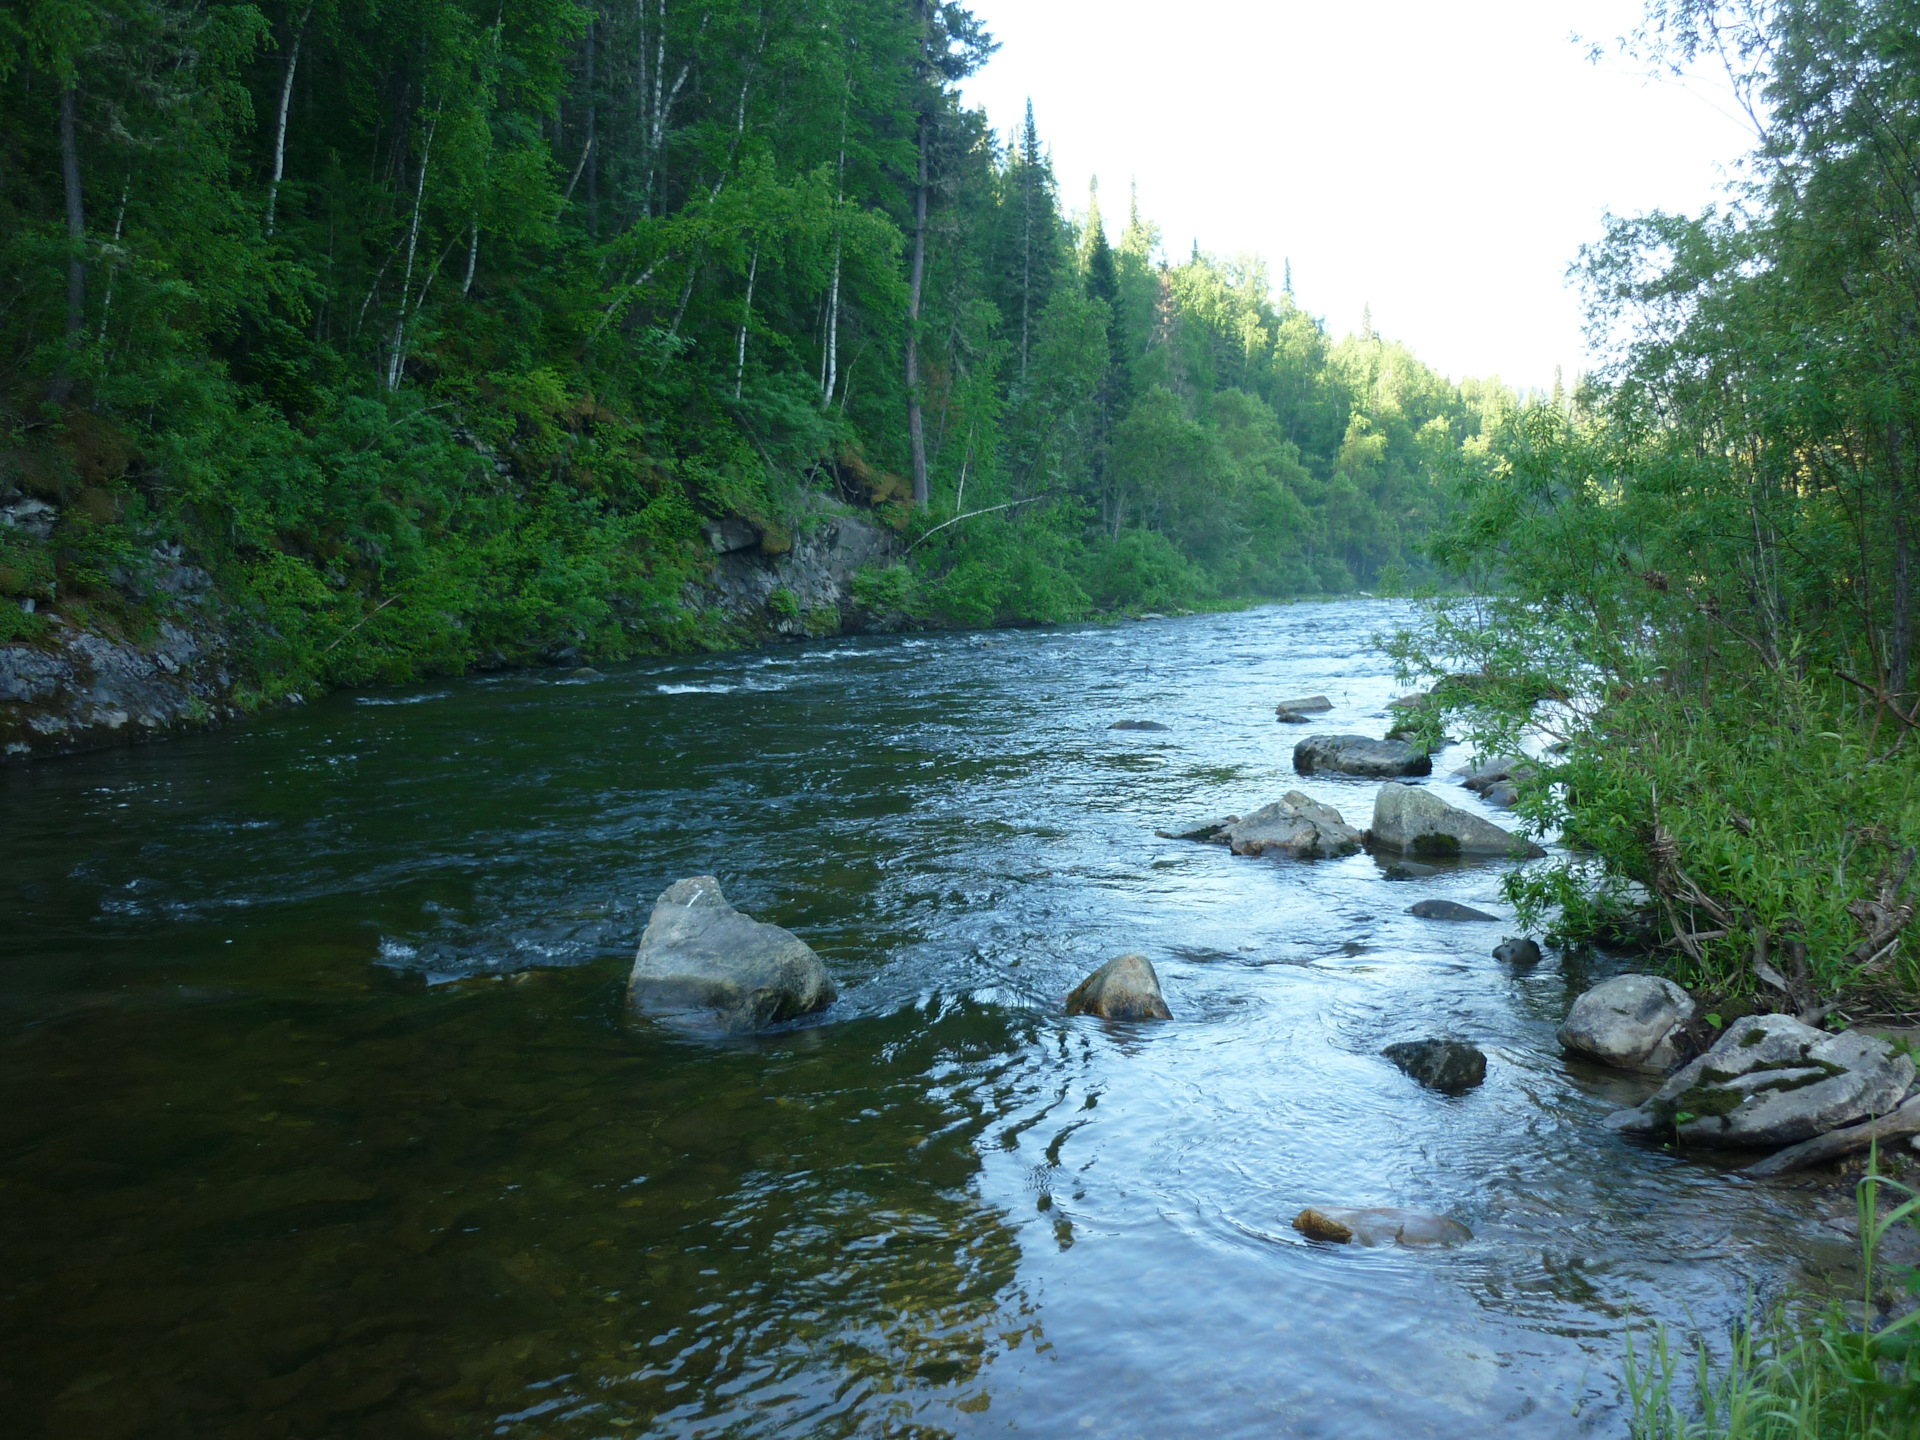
{"points": [[435, 331]]}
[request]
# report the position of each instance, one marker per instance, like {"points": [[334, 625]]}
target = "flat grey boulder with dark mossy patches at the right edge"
{"points": [[1771, 1082]]}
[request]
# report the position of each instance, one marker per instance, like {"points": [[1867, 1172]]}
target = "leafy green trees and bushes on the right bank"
{"points": [[1712, 554]]}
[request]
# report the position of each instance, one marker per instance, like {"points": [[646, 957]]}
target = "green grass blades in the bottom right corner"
{"points": [[1798, 1372]]}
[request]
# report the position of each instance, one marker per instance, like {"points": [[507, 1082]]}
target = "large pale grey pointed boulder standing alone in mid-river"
{"points": [[708, 965]]}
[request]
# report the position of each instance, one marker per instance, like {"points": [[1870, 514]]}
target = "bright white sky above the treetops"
{"points": [[1441, 162]]}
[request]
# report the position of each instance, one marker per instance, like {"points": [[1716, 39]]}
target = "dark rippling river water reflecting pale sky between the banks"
{"points": [[322, 1116]]}
